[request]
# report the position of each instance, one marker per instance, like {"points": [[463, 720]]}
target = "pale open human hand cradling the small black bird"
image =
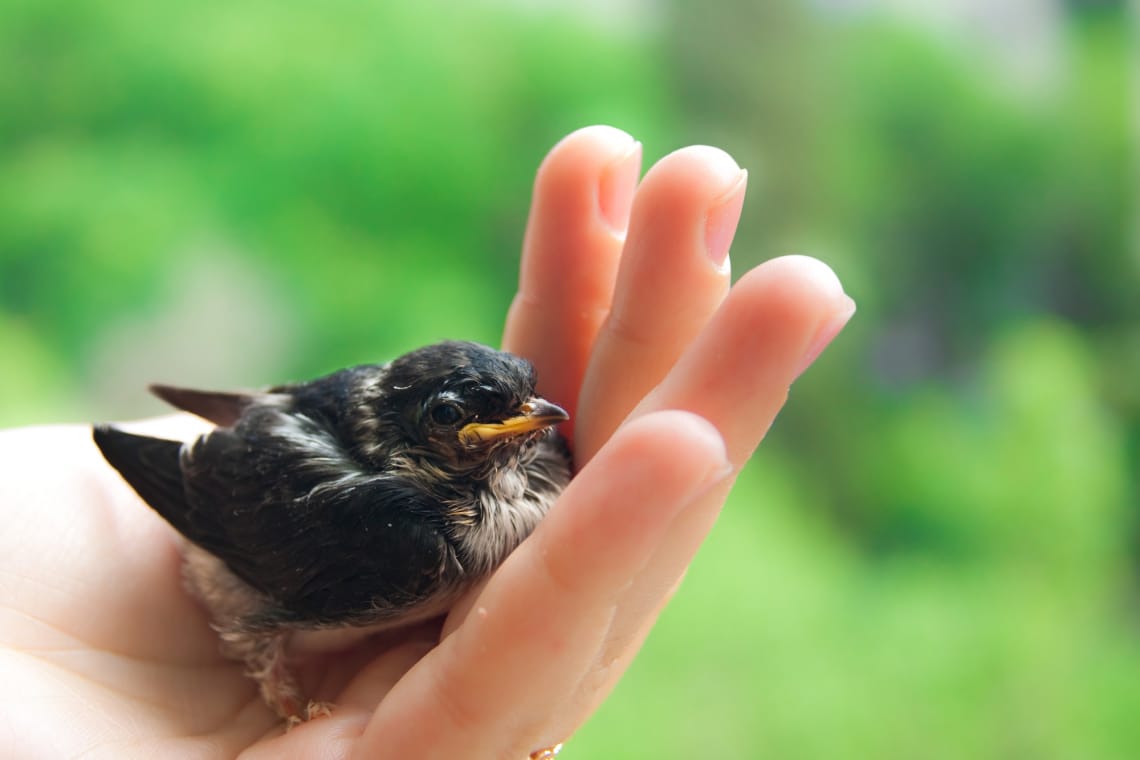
{"points": [[672, 379]]}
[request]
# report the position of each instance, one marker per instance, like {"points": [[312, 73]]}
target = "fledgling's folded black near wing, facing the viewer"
{"points": [[324, 543]]}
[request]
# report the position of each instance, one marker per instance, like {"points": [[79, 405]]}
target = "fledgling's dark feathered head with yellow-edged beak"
{"points": [[460, 411]]}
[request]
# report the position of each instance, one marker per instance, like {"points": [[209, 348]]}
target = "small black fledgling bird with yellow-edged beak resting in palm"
{"points": [[361, 502]]}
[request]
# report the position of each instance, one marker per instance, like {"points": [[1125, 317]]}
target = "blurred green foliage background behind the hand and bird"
{"points": [[935, 554]]}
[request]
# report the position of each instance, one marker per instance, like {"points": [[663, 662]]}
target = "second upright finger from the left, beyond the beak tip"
{"points": [[673, 276]]}
